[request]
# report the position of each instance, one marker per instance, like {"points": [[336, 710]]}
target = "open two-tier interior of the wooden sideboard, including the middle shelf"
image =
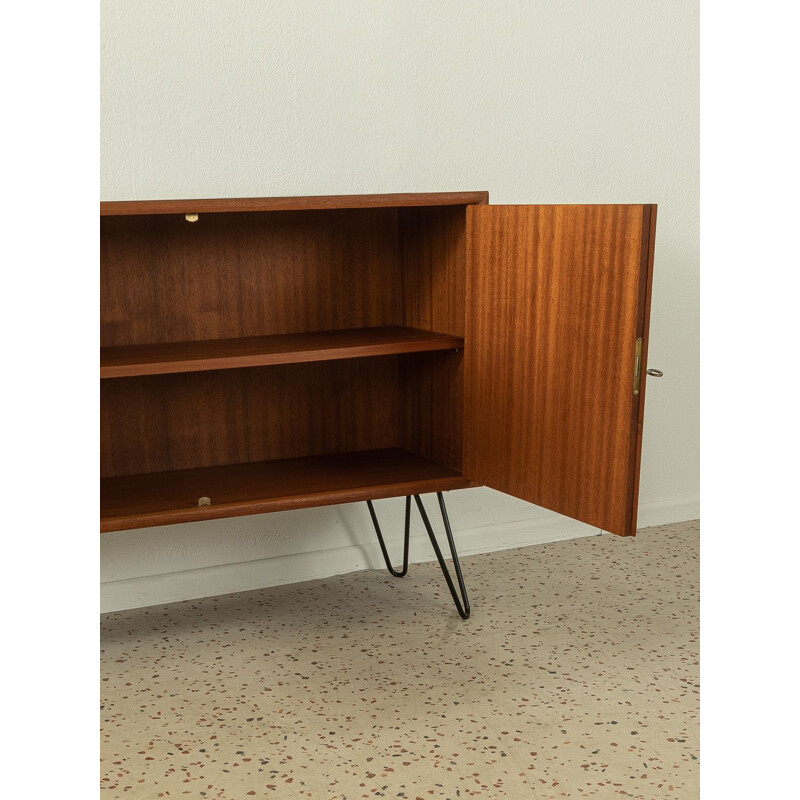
{"points": [[245, 286]]}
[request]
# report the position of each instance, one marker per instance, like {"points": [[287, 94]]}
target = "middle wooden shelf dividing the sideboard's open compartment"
{"points": [[256, 351]]}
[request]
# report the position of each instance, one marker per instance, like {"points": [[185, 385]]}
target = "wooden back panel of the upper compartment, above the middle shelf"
{"points": [[164, 279]]}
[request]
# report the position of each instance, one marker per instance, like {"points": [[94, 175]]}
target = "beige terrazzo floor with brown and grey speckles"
{"points": [[577, 676]]}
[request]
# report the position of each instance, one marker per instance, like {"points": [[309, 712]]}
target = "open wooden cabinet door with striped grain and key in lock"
{"points": [[557, 297]]}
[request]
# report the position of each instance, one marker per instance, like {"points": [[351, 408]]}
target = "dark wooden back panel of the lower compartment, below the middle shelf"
{"points": [[171, 422]]}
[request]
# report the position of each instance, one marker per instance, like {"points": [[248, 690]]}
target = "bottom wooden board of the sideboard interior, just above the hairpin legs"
{"points": [[140, 501]]}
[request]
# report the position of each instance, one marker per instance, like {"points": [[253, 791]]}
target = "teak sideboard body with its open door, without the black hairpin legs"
{"points": [[269, 354]]}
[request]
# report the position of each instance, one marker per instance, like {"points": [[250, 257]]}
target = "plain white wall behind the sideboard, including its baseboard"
{"points": [[538, 101]]}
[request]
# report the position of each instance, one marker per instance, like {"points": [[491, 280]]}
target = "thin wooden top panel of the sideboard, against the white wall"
{"points": [[126, 207]]}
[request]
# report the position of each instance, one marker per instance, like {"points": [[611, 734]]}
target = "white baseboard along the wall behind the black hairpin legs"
{"points": [[149, 590]]}
